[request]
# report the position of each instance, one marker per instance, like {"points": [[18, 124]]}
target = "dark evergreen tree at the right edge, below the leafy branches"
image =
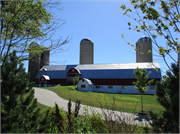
{"points": [[167, 92]]}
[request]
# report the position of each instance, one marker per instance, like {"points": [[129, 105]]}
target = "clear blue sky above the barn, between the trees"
{"points": [[103, 22]]}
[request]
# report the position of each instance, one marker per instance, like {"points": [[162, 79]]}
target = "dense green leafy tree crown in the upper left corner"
{"points": [[22, 21]]}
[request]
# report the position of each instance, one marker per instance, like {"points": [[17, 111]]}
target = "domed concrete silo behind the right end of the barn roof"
{"points": [[143, 45]]}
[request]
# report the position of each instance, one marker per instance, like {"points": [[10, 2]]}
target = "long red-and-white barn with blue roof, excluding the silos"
{"points": [[110, 78]]}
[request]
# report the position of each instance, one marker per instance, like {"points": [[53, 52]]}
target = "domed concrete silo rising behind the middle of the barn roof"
{"points": [[86, 51]]}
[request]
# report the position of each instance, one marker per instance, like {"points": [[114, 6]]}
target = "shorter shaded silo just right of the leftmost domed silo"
{"points": [[45, 58]]}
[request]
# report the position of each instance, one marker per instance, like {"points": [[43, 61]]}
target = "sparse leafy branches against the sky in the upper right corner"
{"points": [[155, 22]]}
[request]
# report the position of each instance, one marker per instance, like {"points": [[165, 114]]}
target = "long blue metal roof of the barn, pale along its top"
{"points": [[101, 71]]}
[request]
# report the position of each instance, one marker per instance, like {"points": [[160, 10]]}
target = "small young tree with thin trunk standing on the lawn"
{"points": [[142, 81]]}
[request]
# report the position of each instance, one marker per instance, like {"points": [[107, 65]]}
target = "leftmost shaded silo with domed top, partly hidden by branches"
{"points": [[34, 62]]}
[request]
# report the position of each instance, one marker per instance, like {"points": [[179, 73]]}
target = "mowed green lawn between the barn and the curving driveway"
{"points": [[123, 102]]}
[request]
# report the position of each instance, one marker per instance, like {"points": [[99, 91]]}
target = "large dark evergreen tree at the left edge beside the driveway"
{"points": [[19, 114]]}
